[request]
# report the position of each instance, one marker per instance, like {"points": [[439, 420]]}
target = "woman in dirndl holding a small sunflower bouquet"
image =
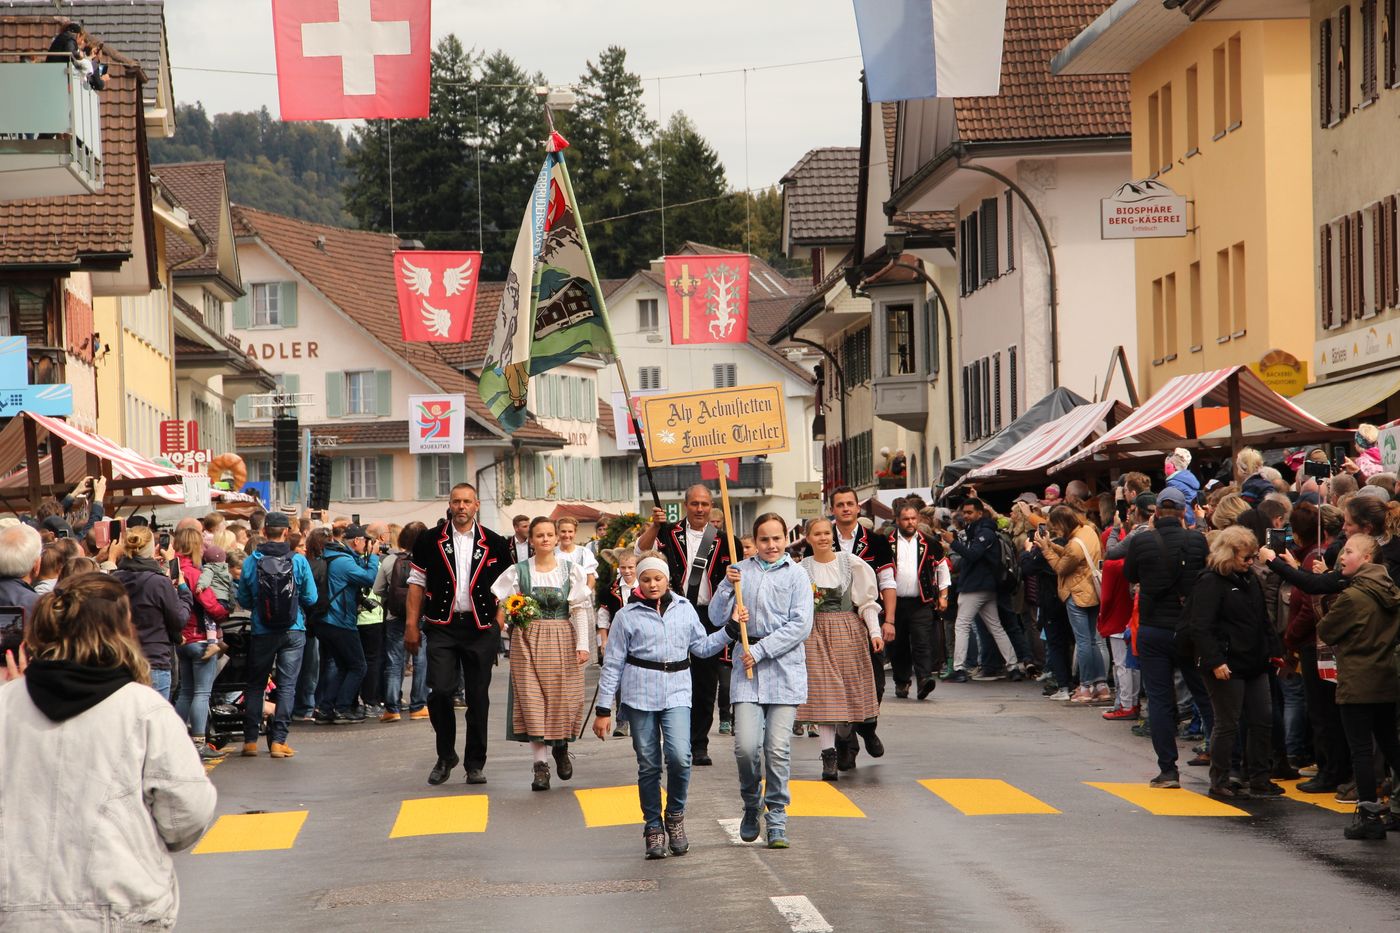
{"points": [[547, 690]]}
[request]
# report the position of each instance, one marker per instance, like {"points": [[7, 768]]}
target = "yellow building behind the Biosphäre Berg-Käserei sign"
{"points": [[1221, 117]]}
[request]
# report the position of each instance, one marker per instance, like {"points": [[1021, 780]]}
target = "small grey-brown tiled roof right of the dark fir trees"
{"points": [[820, 194]]}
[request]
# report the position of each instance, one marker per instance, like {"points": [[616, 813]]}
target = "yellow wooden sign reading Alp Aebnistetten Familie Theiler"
{"points": [[685, 428]]}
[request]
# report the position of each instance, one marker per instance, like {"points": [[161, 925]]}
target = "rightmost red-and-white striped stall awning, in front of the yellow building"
{"points": [[1209, 389]]}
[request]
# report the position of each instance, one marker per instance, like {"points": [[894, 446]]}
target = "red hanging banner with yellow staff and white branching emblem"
{"points": [[709, 299]]}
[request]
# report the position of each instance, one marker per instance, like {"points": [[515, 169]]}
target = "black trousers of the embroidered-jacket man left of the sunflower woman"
{"points": [[461, 655]]}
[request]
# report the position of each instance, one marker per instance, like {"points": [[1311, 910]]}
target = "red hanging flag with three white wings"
{"points": [[437, 295]]}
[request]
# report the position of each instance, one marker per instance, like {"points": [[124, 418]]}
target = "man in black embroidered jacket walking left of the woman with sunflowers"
{"points": [[450, 592]]}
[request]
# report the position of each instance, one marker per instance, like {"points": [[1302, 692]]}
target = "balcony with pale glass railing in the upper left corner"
{"points": [[51, 139]]}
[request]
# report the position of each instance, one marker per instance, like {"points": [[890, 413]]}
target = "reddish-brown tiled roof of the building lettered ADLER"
{"points": [[355, 271]]}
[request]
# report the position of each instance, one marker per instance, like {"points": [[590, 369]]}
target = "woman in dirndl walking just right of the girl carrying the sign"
{"points": [[841, 686]]}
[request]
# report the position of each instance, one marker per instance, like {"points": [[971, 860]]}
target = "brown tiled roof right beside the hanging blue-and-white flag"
{"points": [[1034, 103]]}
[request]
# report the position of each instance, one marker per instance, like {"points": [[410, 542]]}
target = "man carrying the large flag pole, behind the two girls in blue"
{"points": [[698, 555]]}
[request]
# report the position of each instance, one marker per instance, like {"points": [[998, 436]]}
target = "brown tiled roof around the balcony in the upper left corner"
{"points": [[62, 232]]}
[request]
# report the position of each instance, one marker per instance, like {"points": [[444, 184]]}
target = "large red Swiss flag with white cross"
{"points": [[352, 60]]}
